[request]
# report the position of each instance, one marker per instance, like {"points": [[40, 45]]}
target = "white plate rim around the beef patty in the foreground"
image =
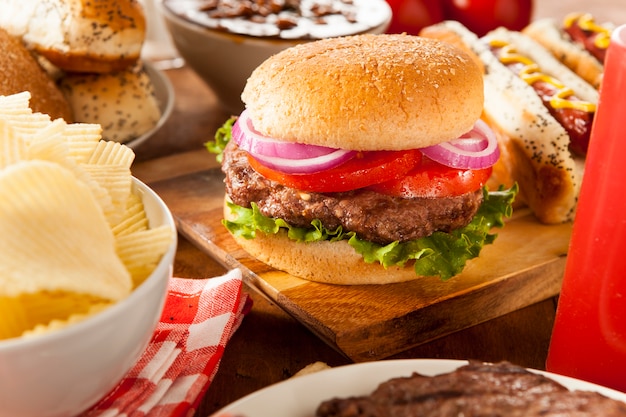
{"points": [[300, 396]]}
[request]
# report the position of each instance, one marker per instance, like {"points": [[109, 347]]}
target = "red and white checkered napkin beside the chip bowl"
{"points": [[170, 378]]}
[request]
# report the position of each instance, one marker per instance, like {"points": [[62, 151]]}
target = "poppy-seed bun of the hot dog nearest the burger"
{"points": [[534, 146]]}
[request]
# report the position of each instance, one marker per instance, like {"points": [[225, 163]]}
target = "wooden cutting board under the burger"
{"points": [[522, 267]]}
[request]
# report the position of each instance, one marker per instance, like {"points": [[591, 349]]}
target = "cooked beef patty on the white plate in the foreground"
{"points": [[475, 390]]}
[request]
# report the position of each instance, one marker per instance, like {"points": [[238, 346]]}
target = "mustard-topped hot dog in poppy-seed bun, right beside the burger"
{"points": [[541, 111]]}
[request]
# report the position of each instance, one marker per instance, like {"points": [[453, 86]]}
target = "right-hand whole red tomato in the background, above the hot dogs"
{"points": [[481, 16]]}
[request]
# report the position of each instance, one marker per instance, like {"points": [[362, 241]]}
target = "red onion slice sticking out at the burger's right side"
{"points": [[476, 149]]}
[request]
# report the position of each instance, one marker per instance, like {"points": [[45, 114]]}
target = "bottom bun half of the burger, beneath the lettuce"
{"points": [[325, 262]]}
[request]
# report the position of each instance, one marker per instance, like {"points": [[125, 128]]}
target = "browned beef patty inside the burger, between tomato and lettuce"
{"points": [[372, 216]]}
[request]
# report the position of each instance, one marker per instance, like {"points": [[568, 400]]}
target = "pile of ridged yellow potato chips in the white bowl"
{"points": [[74, 238]]}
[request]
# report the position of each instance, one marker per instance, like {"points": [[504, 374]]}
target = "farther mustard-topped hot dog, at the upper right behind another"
{"points": [[578, 41]]}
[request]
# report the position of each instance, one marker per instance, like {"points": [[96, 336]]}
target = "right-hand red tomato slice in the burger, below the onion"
{"points": [[432, 180]]}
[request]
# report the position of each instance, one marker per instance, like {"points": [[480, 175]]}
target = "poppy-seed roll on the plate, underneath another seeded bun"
{"points": [[123, 102]]}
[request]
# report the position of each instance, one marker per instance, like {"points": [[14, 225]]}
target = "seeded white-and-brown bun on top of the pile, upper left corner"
{"points": [[79, 35]]}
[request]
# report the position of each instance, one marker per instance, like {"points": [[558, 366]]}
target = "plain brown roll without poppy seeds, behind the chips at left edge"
{"points": [[19, 71]]}
